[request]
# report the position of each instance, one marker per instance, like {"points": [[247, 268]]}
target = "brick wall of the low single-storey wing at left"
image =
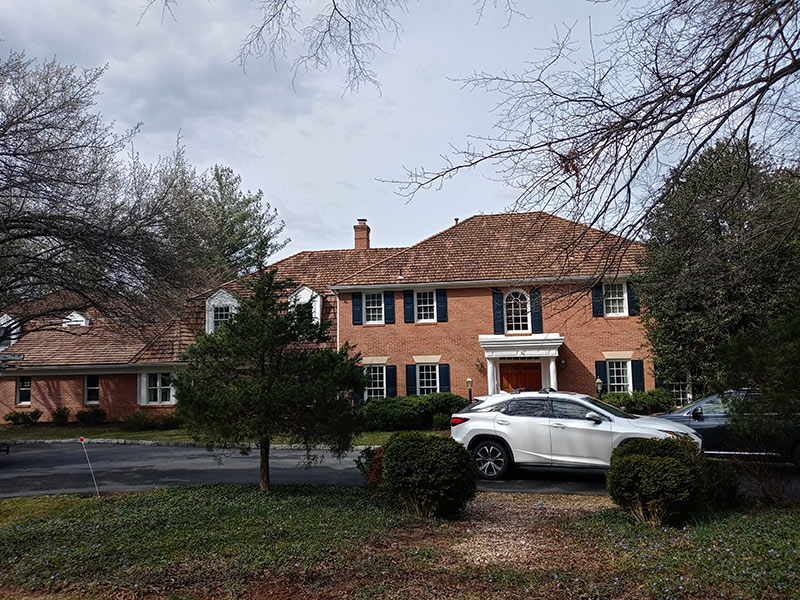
{"points": [[49, 392]]}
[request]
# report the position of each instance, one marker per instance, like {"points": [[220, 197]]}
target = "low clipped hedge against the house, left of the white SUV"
{"points": [[405, 413]]}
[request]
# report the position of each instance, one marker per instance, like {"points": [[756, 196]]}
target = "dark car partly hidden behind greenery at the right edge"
{"points": [[709, 418]]}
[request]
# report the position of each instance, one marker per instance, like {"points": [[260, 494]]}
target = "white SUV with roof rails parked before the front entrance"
{"points": [[550, 428]]}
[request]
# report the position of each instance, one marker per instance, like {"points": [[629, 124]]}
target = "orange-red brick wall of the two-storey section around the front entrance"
{"points": [[470, 315]]}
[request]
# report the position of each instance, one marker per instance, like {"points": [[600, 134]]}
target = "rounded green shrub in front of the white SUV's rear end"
{"points": [[428, 474]]}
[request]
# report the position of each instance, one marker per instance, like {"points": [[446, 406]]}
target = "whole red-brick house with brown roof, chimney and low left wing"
{"points": [[508, 301]]}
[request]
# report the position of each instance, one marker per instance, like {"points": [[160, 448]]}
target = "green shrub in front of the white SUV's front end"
{"points": [[661, 481]]}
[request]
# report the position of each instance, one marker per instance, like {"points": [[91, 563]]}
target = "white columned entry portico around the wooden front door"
{"points": [[542, 347]]}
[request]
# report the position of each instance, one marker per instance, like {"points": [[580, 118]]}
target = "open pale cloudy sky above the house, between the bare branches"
{"points": [[315, 151]]}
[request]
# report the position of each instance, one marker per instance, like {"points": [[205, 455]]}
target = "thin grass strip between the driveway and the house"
{"points": [[114, 431]]}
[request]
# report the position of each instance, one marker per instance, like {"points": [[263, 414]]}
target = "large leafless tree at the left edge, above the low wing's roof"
{"points": [[79, 226]]}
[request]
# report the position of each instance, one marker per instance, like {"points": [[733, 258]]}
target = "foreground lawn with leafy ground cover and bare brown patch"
{"points": [[324, 542]]}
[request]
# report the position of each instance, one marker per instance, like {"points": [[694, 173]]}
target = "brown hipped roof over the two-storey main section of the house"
{"points": [[516, 246]]}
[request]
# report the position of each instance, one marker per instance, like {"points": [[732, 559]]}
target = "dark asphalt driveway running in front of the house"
{"points": [[34, 470]]}
